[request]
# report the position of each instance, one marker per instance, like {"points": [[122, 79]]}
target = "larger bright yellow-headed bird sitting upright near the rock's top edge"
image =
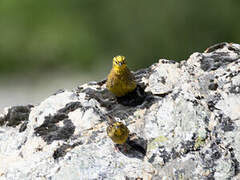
{"points": [[120, 80]]}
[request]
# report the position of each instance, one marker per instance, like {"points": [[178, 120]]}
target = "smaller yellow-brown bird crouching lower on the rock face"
{"points": [[118, 132]]}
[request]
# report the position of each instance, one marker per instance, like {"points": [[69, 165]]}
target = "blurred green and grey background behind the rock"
{"points": [[46, 45]]}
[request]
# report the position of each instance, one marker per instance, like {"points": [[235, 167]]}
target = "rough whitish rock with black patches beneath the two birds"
{"points": [[188, 123]]}
